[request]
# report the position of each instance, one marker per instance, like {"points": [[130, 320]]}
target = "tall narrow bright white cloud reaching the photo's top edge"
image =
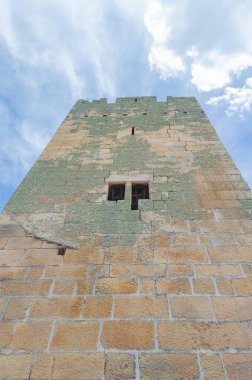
{"points": [[162, 57]]}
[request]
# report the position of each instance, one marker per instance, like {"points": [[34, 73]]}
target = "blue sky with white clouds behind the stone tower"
{"points": [[53, 52]]}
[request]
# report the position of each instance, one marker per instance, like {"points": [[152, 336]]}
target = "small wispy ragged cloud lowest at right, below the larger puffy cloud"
{"points": [[238, 100]]}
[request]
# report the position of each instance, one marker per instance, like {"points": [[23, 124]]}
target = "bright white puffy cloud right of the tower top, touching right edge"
{"points": [[216, 70]]}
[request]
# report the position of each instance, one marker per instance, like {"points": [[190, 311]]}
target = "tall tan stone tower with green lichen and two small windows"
{"points": [[126, 251]]}
